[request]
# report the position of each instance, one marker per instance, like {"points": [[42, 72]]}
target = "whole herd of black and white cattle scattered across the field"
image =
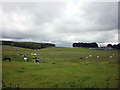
{"points": [[37, 60]]}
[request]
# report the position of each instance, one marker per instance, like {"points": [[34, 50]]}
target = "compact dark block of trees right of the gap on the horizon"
{"points": [[85, 44]]}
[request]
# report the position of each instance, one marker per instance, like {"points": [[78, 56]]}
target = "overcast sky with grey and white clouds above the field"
{"points": [[61, 23]]}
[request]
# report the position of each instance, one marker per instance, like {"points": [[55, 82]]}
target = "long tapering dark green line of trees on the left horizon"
{"points": [[30, 45]]}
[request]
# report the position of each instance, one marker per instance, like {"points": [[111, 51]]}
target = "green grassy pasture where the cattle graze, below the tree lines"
{"points": [[69, 71]]}
